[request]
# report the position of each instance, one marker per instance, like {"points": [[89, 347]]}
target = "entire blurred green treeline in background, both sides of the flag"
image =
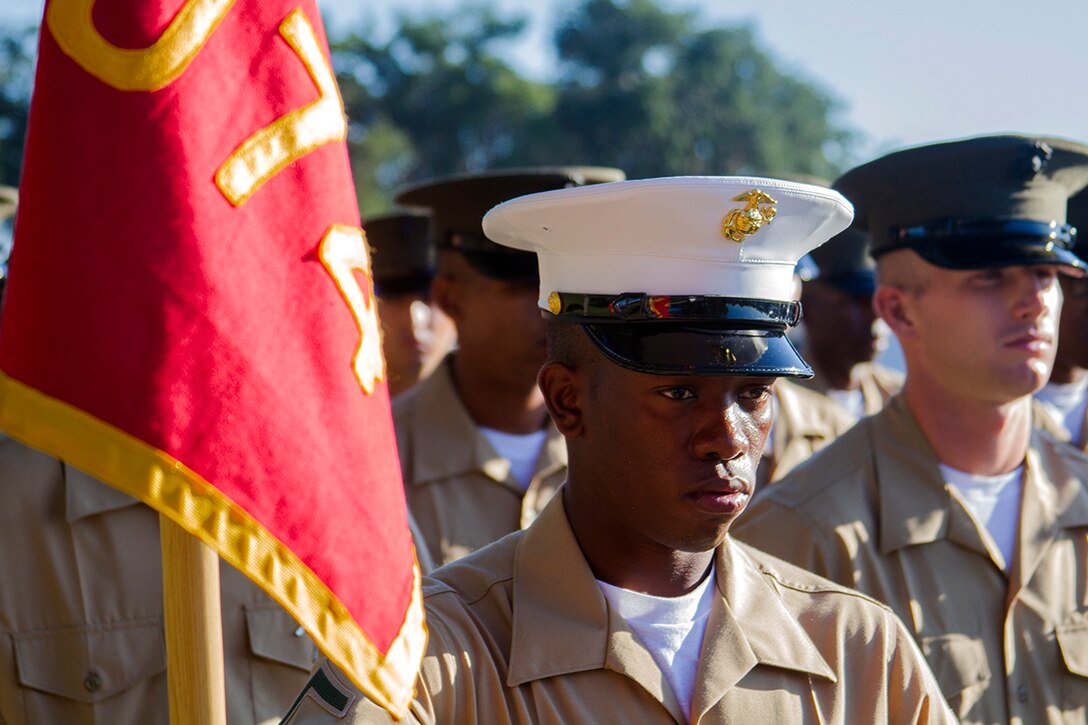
{"points": [[638, 87]]}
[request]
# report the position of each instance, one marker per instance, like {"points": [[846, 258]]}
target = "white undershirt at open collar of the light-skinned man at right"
{"points": [[994, 501]]}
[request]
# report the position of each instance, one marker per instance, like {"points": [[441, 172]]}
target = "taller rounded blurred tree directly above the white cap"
{"points": [[644, 89]]}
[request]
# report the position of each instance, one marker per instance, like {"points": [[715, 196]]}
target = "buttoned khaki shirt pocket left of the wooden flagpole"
{"points": [[65, 670]]}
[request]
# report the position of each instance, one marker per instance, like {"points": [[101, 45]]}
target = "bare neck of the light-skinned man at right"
{"points": [[974, 437]]}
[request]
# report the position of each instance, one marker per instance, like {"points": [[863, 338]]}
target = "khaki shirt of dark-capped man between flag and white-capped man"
{"points": [[461, 493]]}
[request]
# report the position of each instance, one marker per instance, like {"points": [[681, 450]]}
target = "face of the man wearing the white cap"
{"points": [[670, 461]]}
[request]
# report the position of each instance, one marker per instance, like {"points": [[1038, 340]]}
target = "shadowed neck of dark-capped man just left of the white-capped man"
{"points": [[511, 409]]}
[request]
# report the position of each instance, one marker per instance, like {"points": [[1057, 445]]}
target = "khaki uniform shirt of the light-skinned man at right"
{"points": [[873, 512]]}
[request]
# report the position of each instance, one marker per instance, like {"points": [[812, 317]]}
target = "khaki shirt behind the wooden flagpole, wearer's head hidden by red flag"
{"points": [[82, 635]]}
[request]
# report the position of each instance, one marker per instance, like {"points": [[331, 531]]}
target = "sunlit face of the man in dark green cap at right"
{"points": [[987, 335]]}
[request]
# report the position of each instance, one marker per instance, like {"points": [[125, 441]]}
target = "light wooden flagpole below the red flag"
{"points": [[194, 629]]}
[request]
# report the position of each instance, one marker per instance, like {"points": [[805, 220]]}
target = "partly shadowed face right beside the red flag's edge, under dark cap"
{"points": [[416, 336]]}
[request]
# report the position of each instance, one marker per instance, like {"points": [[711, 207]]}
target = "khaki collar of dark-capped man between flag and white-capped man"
{"points": [[449, 444]]}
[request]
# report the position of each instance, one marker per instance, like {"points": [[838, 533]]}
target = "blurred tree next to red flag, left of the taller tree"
{"points": [[437, 100]]}
